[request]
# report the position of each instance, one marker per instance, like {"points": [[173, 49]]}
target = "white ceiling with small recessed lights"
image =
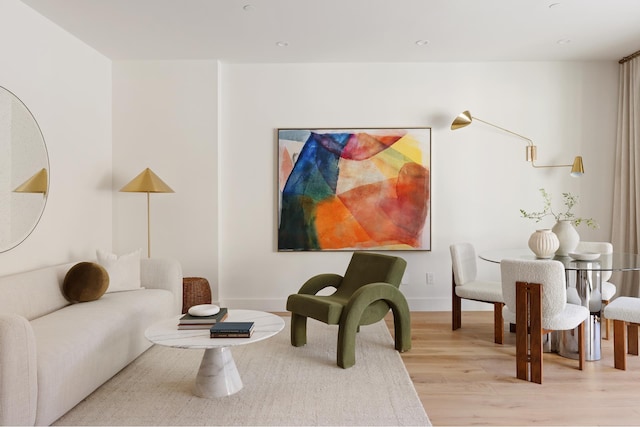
{"points": [[352, 30]]}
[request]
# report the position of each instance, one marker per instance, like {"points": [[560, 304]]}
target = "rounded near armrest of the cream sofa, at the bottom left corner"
{"points": [[18, 371]]}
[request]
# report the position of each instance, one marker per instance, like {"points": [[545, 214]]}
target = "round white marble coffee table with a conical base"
{"points": [[218, 375]]}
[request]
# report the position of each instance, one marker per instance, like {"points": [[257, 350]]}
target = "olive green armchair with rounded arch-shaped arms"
{"points": [[366, 293]]}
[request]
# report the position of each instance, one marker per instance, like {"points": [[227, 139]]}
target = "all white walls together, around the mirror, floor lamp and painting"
{"points": [[209, 131]]}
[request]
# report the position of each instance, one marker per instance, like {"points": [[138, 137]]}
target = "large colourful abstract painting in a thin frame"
{"points": [[354, 189]]}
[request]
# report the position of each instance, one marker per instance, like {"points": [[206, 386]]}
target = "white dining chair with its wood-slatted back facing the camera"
{"points": [[535, 297]]}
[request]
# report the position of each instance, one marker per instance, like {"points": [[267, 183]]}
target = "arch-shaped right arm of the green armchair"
{"points": [[358, 303]]}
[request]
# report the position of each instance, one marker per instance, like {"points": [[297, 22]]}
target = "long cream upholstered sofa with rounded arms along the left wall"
{"points": [[53, 354]]}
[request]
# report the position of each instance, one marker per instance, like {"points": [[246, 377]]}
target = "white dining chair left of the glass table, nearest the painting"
{"points": [[465, 285]]}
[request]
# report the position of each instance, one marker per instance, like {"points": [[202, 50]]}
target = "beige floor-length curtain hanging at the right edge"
{"points": [[626, 202]]}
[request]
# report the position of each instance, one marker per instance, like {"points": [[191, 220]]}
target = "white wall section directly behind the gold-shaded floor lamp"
{"points": [[165, 117]]}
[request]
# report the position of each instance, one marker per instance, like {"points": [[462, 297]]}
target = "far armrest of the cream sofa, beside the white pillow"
{"points": [[163, 273]]}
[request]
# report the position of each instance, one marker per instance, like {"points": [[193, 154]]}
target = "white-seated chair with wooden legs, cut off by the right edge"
{"points": [[625, 313]]}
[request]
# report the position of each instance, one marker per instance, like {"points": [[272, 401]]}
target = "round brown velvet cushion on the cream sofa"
{"points": [[85, 281]]}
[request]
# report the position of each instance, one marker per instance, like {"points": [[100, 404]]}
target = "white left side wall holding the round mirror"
{"points": [[67, 87]]}
